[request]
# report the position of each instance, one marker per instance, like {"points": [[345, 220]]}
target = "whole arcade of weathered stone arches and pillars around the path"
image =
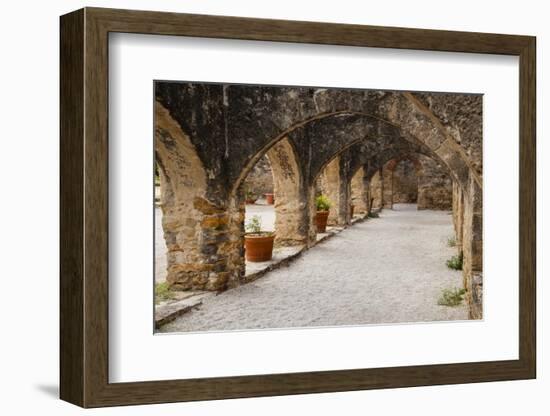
{"points": [[366, 150]]}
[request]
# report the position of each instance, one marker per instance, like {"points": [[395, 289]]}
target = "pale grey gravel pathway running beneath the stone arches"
{"points": [[385, 270]]}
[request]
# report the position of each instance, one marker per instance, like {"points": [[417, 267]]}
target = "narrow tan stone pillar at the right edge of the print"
{"points": [[472, 245]]}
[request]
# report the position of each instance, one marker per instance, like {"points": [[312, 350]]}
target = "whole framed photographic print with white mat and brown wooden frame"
{"points": [[256, 207]]}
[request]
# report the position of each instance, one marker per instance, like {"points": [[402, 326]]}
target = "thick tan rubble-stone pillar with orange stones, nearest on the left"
{"points": [[203, 230]]}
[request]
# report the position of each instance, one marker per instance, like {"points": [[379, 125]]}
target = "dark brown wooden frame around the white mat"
{"points": [[84, 209]]}
